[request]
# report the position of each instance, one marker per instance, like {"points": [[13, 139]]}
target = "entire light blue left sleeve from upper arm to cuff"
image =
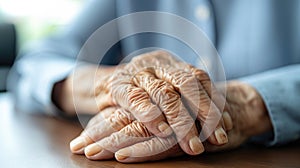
{"points": [[51, 60]]}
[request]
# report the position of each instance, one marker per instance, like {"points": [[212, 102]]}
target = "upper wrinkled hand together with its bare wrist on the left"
{"points": [[157, 90]]}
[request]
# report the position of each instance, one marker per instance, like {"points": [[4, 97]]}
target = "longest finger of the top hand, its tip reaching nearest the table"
{"points": [[164, 95]]}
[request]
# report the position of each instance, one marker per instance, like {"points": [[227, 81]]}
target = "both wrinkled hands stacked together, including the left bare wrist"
{"points": [[151, 108]]}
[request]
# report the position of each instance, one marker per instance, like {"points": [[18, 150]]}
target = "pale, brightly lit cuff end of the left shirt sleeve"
{"points": [[31, 81]]}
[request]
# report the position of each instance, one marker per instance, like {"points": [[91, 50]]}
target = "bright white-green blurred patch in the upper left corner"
{"points": [[35, 19]]}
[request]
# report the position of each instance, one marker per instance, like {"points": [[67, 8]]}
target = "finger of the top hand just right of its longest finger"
{"points": [[198, 101]]}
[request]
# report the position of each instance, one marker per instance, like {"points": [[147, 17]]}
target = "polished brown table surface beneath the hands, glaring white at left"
{"points": [[41, 141]]}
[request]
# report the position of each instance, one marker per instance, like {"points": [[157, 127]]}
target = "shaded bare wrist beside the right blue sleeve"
{"points": [[249, 109]]}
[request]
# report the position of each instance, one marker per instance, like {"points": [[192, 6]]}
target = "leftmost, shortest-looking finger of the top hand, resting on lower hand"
{"points": [[138, 102]]}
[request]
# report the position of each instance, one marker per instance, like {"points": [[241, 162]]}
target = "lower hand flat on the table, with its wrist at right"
{"points": [[119, 135]]}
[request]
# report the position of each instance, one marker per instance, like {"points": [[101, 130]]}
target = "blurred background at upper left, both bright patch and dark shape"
{"points": [[23, 22]]}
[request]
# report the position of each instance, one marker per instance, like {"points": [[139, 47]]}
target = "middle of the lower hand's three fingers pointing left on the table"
{"points": [[105, 148]]}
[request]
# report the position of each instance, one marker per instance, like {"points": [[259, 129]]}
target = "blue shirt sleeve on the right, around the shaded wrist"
{"points": [[280, 90]]}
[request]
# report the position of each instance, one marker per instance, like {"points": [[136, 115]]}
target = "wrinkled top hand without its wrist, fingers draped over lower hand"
{"points": [[160, 91]]}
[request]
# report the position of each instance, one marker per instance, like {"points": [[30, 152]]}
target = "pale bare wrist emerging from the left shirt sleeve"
{"points": [[79, 89]]}
